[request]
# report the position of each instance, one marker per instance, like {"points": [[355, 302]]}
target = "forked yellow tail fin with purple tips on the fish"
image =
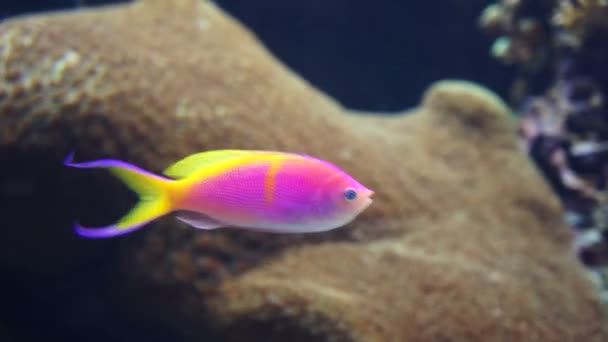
{"points": [[152, 190]]}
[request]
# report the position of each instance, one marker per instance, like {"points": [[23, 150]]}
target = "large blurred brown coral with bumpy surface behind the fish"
{"points": [[464, 241]]}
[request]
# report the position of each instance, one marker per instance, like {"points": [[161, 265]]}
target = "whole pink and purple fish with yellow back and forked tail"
{"points": [[256, 190]]}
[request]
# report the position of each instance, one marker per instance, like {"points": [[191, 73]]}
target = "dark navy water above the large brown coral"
{"points": [[370, 55]]}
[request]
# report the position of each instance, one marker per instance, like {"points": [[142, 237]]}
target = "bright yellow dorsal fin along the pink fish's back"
{"points": [[197, 161]]}
